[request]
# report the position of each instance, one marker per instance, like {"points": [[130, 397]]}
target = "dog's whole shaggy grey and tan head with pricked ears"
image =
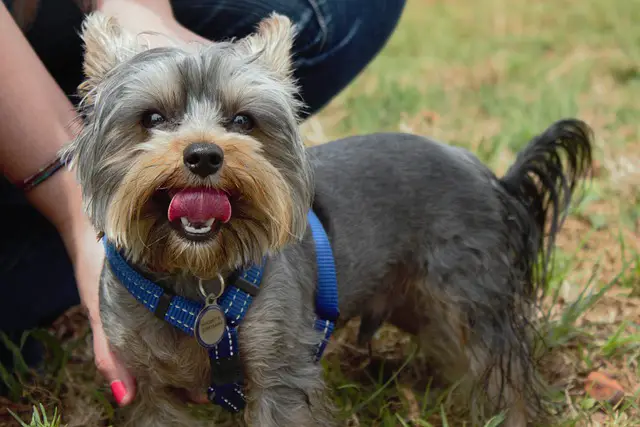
{"points": [[190, 159]]}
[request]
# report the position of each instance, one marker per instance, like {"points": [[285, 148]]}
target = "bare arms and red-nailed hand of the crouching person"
{"points": [[36, 120]]}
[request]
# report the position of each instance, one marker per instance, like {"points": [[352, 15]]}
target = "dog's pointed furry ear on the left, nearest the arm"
{"points": [[106, 45]]}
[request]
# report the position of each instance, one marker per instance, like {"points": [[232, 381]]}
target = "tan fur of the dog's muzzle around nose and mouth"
{"points": [[260, 187]]}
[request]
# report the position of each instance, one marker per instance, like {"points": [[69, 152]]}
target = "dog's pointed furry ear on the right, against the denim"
{"points": [[272, 43]]}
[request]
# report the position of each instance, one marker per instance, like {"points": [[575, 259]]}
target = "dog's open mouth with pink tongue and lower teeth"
{"points": [[196, 213]]}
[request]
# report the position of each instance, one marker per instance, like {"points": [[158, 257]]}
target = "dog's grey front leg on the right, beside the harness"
{"points": [[278, 344]]}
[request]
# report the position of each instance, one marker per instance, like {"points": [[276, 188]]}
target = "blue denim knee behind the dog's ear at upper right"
{"points": [[335, 39]]}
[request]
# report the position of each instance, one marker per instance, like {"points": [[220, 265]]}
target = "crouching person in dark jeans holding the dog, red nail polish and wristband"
{"points": [[50, 258]]}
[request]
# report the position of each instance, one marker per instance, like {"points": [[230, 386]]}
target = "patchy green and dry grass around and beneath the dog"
{"points": [[487, 76]]}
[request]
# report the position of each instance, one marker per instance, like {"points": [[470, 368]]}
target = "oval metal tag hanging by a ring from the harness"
{"points": [[211, 323]]}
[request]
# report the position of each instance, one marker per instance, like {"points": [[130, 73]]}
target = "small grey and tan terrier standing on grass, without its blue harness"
{"points": [[192, 166]]}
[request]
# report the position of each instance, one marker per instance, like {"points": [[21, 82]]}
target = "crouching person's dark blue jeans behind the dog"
{"points": [[336, 40]]}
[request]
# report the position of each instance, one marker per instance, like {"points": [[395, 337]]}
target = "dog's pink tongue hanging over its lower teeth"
{"points": [[199, 205]]}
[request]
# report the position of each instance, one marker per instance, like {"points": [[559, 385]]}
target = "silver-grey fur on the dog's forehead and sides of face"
{"points": [[200, 91]]}
